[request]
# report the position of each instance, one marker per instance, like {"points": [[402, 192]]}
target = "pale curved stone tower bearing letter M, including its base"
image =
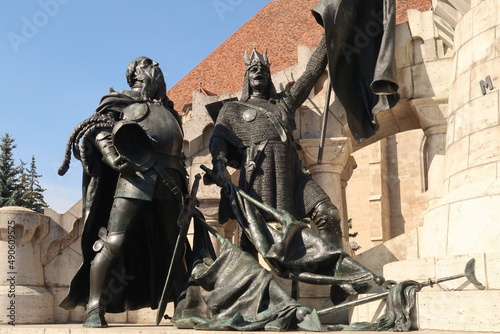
{"points": [[462, 179]]}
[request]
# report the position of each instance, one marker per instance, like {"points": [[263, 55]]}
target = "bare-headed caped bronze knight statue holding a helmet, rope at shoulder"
{"points": [[133, 188]]}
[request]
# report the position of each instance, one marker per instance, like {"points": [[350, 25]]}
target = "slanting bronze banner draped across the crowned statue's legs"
{"points": [[294, 250]]}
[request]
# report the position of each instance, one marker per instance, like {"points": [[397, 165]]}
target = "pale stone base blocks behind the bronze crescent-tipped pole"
{"points": [[464, 308]]}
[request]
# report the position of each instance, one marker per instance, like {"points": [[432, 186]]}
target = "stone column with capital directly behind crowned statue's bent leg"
{"points": [[328, 174]]}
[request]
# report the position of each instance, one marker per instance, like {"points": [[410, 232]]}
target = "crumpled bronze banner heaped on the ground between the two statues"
{"points": [[233, 292]]}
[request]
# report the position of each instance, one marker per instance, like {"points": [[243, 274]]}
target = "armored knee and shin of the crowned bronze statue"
{"points": [[326, 217]]}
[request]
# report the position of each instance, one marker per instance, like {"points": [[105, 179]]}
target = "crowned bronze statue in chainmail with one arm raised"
{"points": [[254, 134]]}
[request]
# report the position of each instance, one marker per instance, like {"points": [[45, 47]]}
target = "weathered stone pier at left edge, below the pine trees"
{"points": [[23, 296]]}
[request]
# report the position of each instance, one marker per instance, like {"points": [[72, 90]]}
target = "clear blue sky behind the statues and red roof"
{"points": [[60, 56]]}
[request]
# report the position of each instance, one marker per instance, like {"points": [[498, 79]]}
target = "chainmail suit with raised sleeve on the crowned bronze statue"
{"points": [[279, 180]]}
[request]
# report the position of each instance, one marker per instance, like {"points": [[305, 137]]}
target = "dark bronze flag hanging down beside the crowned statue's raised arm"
{"points": [[360, 47]]}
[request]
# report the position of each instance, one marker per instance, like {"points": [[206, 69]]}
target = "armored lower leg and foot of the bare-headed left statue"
{"points": [[109, 248]]}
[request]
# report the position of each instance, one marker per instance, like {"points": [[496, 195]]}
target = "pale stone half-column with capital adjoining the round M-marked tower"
{"points": [[431, 115]]}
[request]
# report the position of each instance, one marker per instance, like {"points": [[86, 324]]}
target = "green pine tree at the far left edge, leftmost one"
{"points": [[10, 193]]}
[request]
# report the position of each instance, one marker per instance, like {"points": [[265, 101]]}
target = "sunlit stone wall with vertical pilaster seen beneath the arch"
{"points": [[386, 195]]}
